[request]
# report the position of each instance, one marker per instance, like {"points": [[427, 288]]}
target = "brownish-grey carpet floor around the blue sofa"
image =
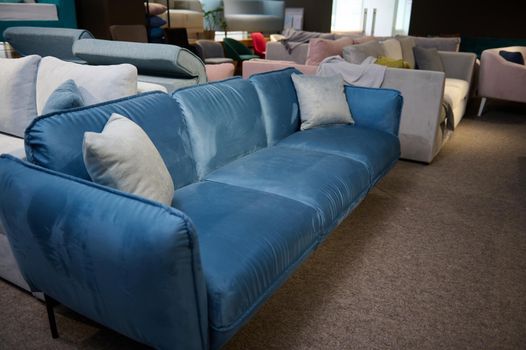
{"points": [[434, 258]]}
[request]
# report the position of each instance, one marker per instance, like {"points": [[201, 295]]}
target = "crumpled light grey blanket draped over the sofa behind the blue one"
{"points": [[366, 74]]}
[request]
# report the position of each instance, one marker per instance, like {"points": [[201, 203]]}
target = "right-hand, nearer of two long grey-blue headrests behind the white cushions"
{"points": [[150, 59]]}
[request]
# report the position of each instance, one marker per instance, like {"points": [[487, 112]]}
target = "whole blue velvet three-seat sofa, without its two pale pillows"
{"points": [[255, 196]]}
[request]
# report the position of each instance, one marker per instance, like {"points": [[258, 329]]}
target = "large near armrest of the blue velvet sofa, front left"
{"points": [[130, 264]]}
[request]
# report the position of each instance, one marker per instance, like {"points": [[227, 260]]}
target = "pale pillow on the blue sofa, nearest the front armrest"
{"points": [[122, 156]]}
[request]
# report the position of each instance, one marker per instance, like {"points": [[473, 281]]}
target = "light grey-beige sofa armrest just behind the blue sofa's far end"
{"points": [[423, 92]]}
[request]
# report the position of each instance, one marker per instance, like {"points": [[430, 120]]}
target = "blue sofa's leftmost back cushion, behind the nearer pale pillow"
{"points": [[55, 141]]}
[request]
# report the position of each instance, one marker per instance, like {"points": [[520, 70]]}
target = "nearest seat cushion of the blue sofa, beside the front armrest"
{"points": [[250, 241]]}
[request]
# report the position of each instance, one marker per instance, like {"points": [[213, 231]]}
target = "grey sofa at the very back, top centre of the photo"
{"points": [[254, 15]]}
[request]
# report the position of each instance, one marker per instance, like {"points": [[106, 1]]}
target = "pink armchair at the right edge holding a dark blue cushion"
{"points": [[501, 79]]}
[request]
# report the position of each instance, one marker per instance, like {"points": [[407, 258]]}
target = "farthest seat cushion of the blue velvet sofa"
{"points": [[375, 149]]}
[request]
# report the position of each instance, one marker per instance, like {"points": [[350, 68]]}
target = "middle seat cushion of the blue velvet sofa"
{"points": [[328, 183]]}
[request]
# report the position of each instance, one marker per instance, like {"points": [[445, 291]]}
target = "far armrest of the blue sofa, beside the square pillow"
{"points": [[375, 108]]}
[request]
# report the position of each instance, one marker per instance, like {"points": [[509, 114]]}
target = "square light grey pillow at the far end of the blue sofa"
{"points": [[322, 100]]}
